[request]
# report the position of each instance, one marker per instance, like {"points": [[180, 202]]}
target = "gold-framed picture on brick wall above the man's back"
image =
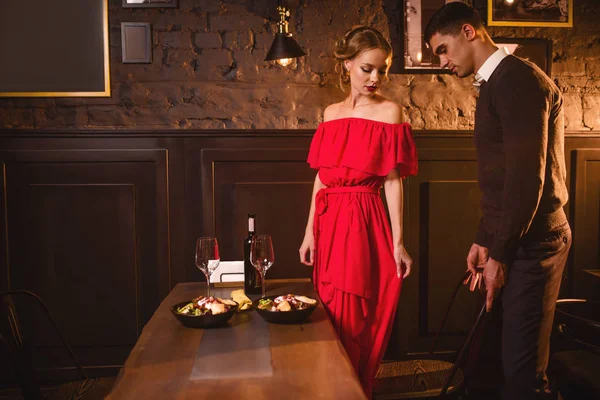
{"points": [[550, 13]]}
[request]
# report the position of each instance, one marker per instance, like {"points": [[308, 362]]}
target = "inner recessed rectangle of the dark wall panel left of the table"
{"points": [[77, 234]]}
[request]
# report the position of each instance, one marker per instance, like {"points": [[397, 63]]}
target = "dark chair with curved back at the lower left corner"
{"points": [[13, 341]]}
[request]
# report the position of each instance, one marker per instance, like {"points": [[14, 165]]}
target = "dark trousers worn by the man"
{"points": [[528, 304]]}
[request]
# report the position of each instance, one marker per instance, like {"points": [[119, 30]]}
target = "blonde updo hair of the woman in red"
{"points": [[355, 42]]}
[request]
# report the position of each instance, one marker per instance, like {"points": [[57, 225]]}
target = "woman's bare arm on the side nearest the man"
{"points": [[395, 199]]}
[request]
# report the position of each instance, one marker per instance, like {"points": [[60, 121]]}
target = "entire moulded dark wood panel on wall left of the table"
{"points": [[88, 232]]}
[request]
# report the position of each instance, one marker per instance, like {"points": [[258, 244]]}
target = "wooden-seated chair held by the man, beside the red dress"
{"points": [[426, 378]]}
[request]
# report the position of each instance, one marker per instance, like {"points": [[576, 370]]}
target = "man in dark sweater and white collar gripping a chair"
{"points": [[523, 238]]}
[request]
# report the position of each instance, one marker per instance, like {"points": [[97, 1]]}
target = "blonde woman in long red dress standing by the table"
{"points": [[361, 146]]}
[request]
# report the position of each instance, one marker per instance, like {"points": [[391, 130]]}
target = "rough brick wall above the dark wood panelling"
{"points": [[208, 71]]}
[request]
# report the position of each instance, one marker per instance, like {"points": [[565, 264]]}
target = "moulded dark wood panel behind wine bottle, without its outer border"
{"points": [[276, 184]]}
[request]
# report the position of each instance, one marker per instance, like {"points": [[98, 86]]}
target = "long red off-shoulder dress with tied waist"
{"points": [[354, 271]]}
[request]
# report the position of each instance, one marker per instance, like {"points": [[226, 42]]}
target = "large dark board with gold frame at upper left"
{"points": [[66, 57]]}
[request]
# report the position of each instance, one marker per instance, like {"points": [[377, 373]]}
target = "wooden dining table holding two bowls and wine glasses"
{"points": [[304, 361]]}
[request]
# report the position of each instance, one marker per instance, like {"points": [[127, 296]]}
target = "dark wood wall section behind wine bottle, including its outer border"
{"points": [[216, 164]]}
